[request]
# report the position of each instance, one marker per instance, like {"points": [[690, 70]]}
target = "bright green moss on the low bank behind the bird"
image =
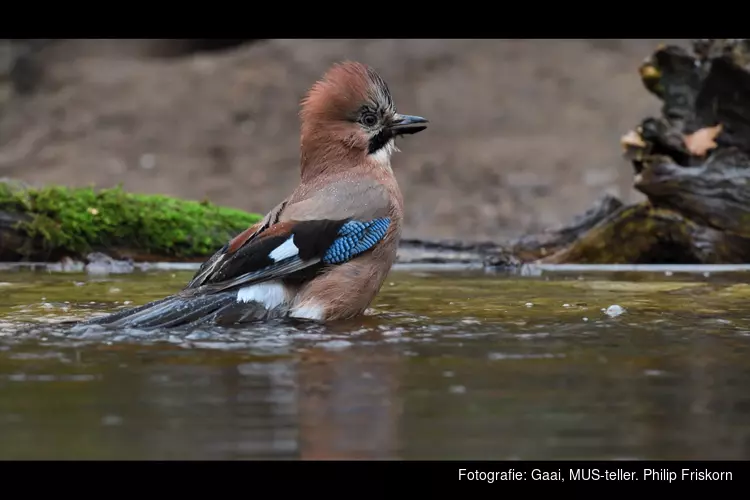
{"points": [[79, 220]]}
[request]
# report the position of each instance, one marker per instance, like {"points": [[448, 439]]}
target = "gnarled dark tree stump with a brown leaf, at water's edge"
{"points": [[692, 163]]}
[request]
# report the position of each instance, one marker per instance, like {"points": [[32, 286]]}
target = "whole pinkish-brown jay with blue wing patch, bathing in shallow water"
{"points": [[322, 253]]}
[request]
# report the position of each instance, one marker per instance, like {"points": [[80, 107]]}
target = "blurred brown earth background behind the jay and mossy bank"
{"points": [[524, 134]]}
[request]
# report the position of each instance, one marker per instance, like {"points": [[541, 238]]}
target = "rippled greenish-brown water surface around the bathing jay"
{"points": [[447, 365]]}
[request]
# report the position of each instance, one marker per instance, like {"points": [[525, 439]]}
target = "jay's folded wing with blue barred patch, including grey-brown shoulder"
{"points": [[312, 232]]}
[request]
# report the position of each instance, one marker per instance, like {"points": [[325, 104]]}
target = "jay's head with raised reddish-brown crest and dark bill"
{"points": [[349, 116]]}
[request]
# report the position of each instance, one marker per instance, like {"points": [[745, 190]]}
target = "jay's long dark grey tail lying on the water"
{"points": [[176, 310]]}
